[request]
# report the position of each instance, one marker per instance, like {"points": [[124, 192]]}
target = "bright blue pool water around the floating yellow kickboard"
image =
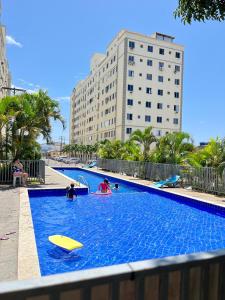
{"points": [[126, 226]]}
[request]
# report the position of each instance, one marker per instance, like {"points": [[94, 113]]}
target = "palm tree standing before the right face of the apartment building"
{"points": [[144, 138]]}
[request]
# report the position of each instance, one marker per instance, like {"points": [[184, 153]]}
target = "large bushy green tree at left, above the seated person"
{"points": [[32, 115]]}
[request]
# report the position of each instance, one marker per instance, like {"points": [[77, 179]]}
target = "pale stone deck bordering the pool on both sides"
{"points": [[14, 205]]}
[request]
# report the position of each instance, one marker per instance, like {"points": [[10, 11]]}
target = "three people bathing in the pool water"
{"points": [[104, 188]]}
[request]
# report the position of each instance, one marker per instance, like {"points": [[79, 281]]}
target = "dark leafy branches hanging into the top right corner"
{"points": [[200, 10]]}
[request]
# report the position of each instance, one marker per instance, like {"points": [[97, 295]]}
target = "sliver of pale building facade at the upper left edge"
{"points": [[5, 78]]}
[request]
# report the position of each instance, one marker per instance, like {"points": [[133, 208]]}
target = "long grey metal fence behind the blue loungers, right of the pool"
{"points": [[202, 179]]}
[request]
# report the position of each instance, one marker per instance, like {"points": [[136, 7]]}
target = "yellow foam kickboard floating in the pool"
{"points": [[64, 242]]}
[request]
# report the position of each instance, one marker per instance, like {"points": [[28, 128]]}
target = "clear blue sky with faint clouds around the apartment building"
{"points": [[51, 43]]}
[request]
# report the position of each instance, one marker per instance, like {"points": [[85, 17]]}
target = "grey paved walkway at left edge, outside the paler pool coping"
{"points": [[9, 222]]}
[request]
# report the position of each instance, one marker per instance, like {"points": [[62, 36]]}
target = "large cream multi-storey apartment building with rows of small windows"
{"points": [[136, 84]]}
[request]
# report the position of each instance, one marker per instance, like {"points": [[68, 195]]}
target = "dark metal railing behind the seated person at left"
{"points": [[34, 168]]}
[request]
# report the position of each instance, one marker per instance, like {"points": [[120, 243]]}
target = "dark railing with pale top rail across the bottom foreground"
{"points": [[198, 276]]}
